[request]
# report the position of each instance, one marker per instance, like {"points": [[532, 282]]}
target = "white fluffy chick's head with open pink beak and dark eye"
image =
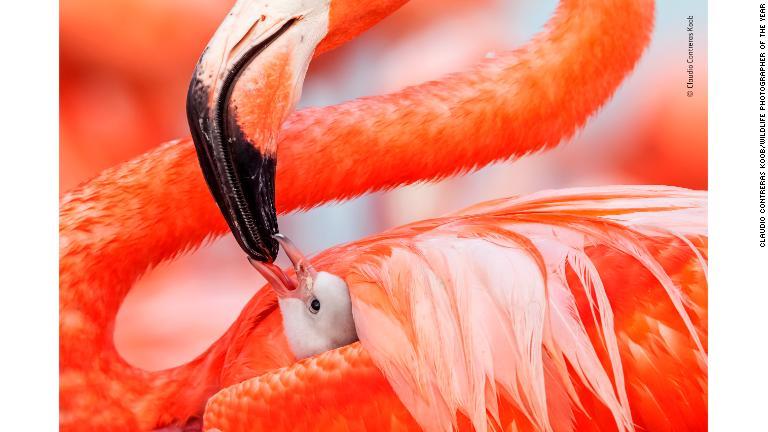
{"points": [[316, 307]]}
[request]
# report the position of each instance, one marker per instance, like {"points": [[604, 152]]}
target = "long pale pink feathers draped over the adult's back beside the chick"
{"points": [[462, 314]]}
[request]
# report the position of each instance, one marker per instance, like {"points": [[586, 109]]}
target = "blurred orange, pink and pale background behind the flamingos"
{"points": [[125, 66]]}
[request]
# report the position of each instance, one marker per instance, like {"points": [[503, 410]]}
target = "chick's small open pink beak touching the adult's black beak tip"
{"points": [[283, 284]]}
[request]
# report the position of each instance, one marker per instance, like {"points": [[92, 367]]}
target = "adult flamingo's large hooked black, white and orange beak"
{"points": [[244, 86]]}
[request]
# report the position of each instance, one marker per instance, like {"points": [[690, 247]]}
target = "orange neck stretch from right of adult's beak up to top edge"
{"points": [[522, 101]]}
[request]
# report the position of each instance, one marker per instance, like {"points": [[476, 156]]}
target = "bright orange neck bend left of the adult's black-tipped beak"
{"points": [[107, 237]]}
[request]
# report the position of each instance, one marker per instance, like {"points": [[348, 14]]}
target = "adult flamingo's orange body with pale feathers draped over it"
{"points": [[392, 376]]}
